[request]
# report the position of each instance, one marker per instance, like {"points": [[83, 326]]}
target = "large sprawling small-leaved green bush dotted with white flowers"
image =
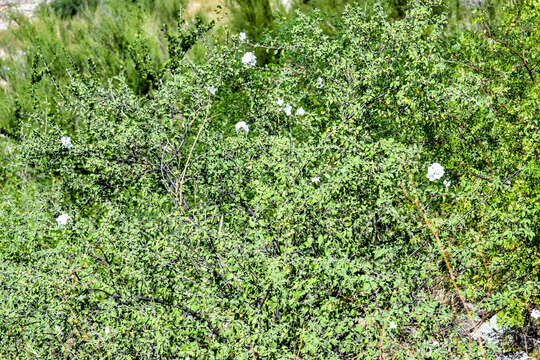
{"points": [[310, 231]]}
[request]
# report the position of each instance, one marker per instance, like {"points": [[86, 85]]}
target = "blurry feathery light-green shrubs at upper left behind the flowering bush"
{"points": [[111, 38]]}
